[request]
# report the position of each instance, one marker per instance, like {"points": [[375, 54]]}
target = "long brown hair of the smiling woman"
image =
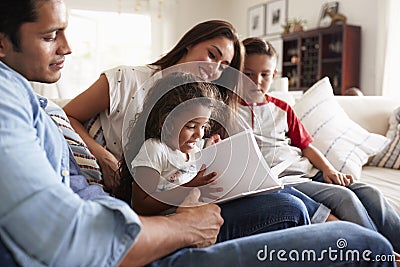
{"points": [[203, 32]]}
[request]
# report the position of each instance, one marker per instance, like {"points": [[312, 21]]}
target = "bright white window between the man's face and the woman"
{"points": [[102, 40]]}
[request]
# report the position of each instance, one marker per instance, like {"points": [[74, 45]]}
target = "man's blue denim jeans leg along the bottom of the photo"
{"points": [[262, 249]]}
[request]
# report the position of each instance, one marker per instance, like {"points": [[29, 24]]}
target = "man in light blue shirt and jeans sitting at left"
{"points": [[45, 223]]}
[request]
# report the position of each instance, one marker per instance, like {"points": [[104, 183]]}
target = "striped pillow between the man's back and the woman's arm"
{"points": [[85, 159]]}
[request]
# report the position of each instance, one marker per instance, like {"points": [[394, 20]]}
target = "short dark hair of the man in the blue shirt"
{"points": [[13, 13]]}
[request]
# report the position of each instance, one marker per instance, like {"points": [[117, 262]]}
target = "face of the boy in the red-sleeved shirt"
{"points": [[261, 69]]}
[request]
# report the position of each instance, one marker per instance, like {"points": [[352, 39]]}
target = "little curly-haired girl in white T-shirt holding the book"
{"points": [[175, 117]]}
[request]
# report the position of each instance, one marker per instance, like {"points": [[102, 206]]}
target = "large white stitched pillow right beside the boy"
{"points": [[344, 143]]}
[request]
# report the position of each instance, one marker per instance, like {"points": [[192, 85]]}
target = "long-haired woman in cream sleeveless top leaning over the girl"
{"points": [[213, 41]]}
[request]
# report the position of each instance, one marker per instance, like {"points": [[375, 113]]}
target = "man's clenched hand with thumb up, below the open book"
{"points": [[200, 223]]}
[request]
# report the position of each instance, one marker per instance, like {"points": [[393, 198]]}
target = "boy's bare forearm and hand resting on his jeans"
{"points": [[330, 174]]}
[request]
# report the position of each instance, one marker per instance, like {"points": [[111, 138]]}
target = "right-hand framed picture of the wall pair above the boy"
{"points": [[276, 16]]}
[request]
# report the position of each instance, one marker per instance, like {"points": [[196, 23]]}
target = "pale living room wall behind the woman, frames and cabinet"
{"points": [[369, 14]]}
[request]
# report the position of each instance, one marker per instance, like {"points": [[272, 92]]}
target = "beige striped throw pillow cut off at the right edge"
{"points": [[389, 157]]}
